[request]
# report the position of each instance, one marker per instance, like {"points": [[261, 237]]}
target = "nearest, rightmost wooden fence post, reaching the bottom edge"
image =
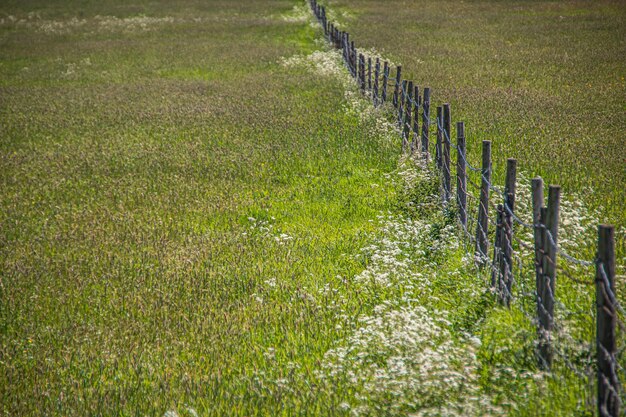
{"points": [[606, 350]]}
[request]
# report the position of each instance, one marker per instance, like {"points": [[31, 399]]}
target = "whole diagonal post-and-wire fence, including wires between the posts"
{"points": [[509, 250]]}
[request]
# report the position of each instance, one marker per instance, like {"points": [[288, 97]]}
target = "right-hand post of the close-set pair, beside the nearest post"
{"points": [[549, 261]]}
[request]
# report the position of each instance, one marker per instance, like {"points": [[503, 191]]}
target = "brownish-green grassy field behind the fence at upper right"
{"points": [[544, 80]]}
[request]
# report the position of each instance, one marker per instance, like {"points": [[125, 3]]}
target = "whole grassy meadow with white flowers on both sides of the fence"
{"points": [[199, 215]]}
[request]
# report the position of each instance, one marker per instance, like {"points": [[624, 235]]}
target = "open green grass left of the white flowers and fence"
{"points": [[129, 267]]}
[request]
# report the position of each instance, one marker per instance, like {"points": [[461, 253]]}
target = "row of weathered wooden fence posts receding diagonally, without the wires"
{"points": [[407, 102]]}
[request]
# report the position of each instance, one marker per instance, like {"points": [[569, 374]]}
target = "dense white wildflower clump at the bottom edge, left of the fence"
{"points": [[404, 360]]}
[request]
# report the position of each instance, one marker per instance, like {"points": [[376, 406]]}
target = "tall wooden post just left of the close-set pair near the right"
{"points": [[507, 231]]}
